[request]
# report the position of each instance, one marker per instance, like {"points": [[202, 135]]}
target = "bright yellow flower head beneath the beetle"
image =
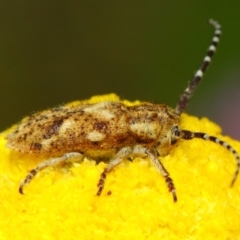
{"points": [[61, 201]]}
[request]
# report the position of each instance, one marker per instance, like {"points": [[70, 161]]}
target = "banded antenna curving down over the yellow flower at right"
{"points": [[188, 135]]}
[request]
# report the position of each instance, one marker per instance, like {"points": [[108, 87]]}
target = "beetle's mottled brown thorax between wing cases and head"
{"points": [[152, 124]]}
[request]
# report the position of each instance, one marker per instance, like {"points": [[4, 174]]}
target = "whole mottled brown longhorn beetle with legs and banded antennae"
{"points": [[111, 129]]}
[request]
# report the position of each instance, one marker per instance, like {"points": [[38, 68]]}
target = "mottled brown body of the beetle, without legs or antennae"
{"points": [[65, 129]]}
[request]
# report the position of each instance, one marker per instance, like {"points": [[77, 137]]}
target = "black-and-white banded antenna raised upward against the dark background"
{"points": [[184, 99]]}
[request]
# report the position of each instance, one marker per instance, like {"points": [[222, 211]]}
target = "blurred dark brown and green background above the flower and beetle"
{"points": [[53, 52]]}
